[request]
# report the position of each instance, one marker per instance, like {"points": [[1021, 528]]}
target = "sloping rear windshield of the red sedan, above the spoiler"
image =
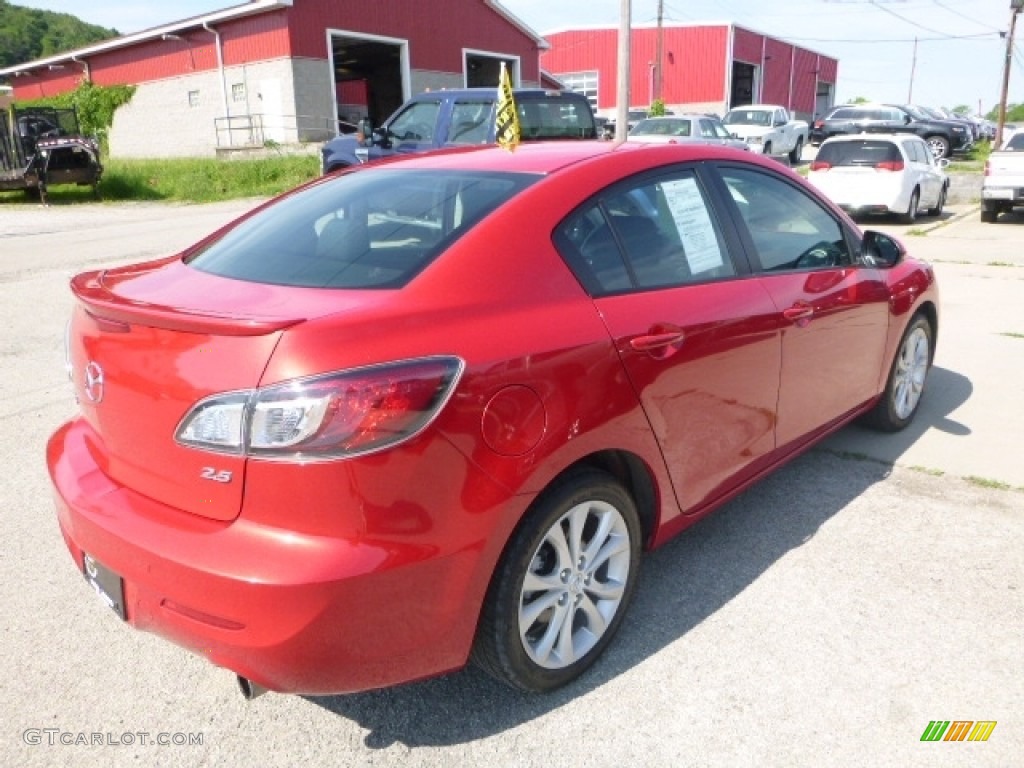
{"points": [[366, 230]]}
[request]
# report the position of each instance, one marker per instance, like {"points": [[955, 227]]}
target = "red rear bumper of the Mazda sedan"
{"points": [[294, 613]]}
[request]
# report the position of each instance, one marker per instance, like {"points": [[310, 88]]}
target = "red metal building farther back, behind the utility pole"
{"points": [[704, 68]]}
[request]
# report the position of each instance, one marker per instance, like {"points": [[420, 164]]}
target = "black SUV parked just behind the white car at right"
{"points": [[943, 137]]}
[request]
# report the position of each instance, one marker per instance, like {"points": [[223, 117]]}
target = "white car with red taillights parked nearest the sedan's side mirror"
{"points": [[881, 174]]}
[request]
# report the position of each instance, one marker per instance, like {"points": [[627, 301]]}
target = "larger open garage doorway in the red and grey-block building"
{"points": [[371, 77]]}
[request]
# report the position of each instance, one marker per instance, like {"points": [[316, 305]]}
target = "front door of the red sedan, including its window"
{"points": [[833, 312]]}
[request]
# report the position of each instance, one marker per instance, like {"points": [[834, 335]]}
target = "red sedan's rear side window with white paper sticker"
{"points": [[658, 234]]}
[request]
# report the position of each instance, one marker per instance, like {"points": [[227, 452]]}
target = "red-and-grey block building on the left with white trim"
{"points": [[286, 71]]}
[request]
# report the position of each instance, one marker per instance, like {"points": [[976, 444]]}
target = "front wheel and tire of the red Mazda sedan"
{"points": [[907, 378]]}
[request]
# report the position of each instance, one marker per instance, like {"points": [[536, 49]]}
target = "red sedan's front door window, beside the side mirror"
{"points": [[789, 229]]}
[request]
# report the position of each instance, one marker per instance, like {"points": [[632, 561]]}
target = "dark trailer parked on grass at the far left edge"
{"points": [[44, 147]]}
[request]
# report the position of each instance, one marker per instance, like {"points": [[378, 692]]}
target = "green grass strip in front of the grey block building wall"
{"points": [[188, 181]]}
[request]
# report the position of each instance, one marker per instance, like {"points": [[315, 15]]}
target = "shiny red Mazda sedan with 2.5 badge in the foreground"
{"points": [[435, 410]]}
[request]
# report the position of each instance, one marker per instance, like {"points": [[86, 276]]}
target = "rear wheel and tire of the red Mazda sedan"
{"points": [[563, 586]]}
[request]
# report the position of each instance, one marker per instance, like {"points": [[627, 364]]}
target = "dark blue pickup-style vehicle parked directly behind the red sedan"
{"points": [[457, 118]]}
